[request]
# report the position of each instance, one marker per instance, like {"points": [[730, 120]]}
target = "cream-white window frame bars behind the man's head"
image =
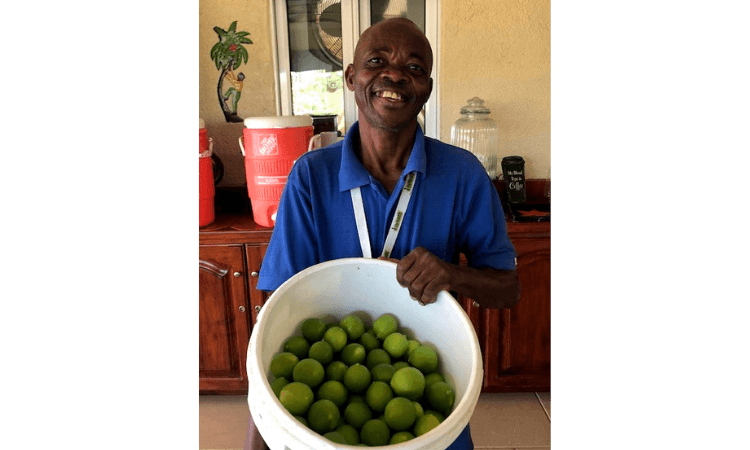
{"points": [[358, 14]]}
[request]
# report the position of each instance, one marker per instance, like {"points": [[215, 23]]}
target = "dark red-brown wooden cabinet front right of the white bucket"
{"points": [[517, 348]]}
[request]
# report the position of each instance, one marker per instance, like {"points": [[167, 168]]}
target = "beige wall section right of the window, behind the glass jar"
{"points": [[500, 51]]}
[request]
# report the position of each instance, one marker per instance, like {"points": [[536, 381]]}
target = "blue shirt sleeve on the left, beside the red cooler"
{"points": [[292, 245]]}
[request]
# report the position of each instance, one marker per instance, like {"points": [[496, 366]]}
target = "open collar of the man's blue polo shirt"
{"points": [[353, 174]]}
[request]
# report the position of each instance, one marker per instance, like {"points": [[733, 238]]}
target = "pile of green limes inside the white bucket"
{"points": [[359, 385]]}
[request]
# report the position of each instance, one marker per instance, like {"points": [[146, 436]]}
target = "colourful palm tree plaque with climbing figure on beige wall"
{"points": [[228, 54]]}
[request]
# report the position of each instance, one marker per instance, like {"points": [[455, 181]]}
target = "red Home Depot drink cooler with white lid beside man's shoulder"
{"points": [[271, 146]]}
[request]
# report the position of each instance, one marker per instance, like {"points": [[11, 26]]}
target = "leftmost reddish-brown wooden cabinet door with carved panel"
{"points": [[222, 319]]}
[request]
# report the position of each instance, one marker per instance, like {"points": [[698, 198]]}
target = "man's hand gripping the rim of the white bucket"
{"points": [[424, 274]]}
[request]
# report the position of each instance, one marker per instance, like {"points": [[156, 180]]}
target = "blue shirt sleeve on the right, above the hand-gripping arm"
{"points": [[483, 235]]}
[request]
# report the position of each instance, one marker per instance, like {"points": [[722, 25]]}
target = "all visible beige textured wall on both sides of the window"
{"points": [[497, 50]]}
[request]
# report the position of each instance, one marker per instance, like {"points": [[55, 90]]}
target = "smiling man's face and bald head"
{"points": [[390, 75]]}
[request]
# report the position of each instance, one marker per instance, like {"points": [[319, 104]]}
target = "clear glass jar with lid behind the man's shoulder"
{"points": [[476, 132]]}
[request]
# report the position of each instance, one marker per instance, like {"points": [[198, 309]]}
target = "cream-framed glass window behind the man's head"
{"points": [[315, 42]]}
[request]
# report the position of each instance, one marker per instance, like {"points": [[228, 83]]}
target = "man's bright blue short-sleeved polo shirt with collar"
{"points": [[454, 209]]}
